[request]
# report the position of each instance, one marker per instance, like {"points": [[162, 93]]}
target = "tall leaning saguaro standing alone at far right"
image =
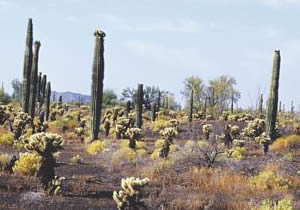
{"points": [[273, 98]]}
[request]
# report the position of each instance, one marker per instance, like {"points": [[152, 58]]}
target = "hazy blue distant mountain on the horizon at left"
{"points": [[69, 97]]}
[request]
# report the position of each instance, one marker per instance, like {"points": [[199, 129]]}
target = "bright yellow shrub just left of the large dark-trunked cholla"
{"points": [[28, 164]]}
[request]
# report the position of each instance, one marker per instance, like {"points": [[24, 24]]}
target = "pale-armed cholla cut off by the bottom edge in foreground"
{"points": [[129, 197]]}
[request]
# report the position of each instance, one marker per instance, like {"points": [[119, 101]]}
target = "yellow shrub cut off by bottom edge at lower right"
{"points": [[268, 204]]}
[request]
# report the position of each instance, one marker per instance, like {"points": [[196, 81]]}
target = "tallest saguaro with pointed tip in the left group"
{"points": [[27, 68]]}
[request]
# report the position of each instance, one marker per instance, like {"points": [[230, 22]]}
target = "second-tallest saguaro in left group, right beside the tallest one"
{"points": [[34, 78]]}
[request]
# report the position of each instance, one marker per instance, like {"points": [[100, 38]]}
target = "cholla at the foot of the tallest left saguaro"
{"points": [[18, 126]]}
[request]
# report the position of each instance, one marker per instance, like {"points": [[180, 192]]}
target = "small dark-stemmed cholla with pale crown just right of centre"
{"points": [[167, 134]]}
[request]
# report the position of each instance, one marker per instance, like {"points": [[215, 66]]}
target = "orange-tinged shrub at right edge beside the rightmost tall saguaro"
{"points": [[286, 144]]}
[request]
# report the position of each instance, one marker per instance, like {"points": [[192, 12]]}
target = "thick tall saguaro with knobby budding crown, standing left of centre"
{"points": [[97, 83]]}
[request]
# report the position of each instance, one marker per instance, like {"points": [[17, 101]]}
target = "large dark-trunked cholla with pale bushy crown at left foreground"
{"points": [[45, 145]]}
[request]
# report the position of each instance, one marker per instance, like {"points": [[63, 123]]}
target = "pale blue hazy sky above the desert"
{"points": [[157, 42]]}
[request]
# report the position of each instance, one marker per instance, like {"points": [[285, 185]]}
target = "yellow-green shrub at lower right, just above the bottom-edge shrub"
{"points": [[268, 179]]}
